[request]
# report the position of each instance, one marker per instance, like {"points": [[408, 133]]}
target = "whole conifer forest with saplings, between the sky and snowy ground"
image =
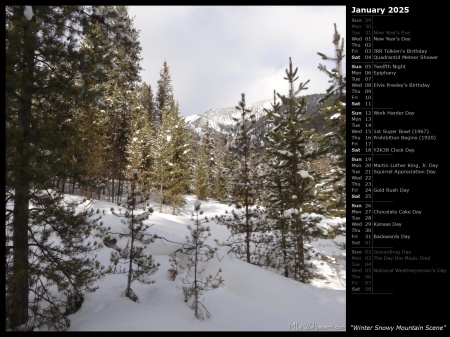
{"points": [[80, 122]]}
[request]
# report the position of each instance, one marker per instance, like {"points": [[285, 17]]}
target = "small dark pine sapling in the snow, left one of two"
{"points": [[138, 265]]}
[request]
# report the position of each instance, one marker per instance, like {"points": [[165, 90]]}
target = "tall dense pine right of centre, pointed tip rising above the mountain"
{"points": [[290, 185]]}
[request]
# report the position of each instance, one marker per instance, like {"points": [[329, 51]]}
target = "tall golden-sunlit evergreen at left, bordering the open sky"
{"points": [[118, 100]]}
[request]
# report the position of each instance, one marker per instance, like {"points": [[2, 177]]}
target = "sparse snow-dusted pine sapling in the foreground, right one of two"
{"points": [[198, 254]]}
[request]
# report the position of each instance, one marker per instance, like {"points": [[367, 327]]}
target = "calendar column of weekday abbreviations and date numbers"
{"points": [[361, 155]]}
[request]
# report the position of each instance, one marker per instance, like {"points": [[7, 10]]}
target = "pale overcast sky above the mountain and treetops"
{"points": [[215, 53]]}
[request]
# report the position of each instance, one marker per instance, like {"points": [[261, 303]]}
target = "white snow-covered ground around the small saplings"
{"points": [[251, 299]]}
